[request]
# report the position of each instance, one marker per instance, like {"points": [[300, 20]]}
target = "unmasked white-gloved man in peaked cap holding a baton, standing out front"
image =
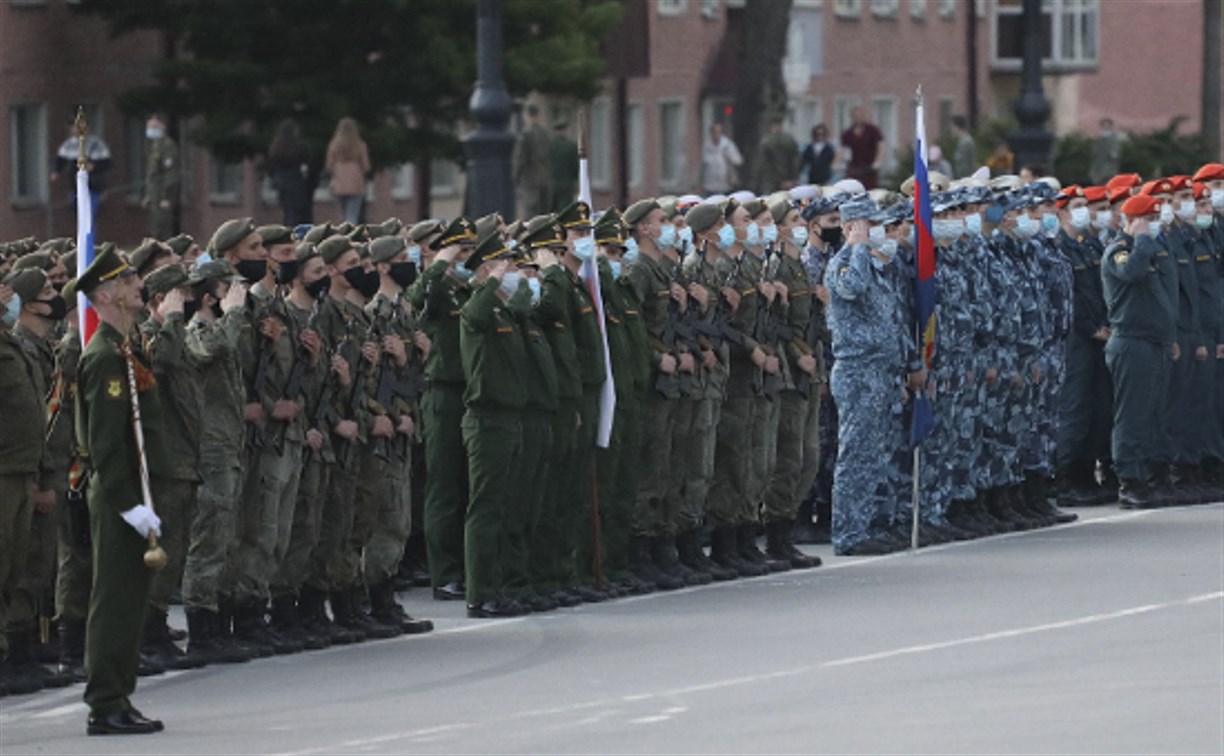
{"points": [[122, 519]]}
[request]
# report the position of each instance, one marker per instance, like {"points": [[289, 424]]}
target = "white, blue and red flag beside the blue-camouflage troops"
{"points": [[925, 282]]}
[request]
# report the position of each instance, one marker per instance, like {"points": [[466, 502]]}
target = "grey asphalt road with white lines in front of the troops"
{"points": [[1105, 637]]}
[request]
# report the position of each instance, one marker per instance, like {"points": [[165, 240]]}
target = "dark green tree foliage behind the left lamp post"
{"points": [[403, 69]]}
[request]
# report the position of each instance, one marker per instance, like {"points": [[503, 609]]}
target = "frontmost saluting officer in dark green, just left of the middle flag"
{"points": [[496, 368]]}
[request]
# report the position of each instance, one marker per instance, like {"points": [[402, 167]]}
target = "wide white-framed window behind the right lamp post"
{"points": [[1069, 35]]}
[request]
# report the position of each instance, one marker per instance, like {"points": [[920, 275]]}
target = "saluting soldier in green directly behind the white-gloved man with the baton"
{"points": [[179, 391]]}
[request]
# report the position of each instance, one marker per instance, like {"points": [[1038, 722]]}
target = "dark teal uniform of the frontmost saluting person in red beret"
{"points": [[1141, 294]]}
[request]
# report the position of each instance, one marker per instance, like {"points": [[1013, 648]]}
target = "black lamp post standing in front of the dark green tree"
{"points": [[490, 183]]}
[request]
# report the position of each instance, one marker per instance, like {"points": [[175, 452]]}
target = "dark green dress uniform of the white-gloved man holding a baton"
{"points": [[121, 579]]}
